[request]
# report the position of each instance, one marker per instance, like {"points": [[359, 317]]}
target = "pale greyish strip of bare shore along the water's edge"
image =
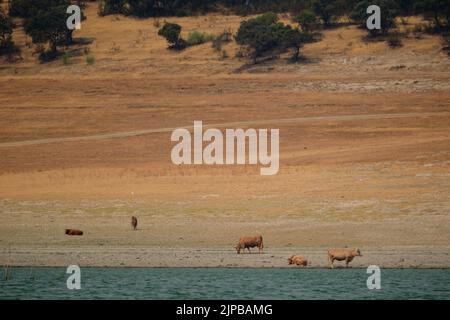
{"points": [[388, 258]]}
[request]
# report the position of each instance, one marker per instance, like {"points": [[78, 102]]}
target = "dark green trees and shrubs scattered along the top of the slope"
{"points": [[44, 22]]}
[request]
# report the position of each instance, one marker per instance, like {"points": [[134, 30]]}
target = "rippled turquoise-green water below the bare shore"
{"points": [[190, 283]]}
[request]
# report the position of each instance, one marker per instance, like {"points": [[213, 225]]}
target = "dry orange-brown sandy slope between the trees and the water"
{"points": [[364, 146]]}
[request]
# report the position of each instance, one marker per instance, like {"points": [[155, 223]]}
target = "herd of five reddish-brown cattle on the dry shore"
{"points": [[339, 254]]}
